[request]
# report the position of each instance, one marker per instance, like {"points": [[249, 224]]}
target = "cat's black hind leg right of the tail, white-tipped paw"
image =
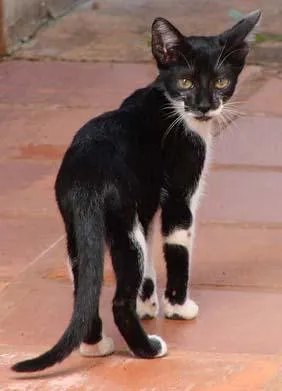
{"points": [[128, 250]]}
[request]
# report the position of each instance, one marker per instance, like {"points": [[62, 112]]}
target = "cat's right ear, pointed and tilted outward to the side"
{"points": [[243, 31]]}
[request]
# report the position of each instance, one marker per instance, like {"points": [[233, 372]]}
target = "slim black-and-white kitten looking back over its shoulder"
{"points": [[124, 165]]}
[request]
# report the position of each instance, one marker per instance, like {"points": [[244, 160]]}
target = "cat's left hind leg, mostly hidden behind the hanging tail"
{"points": [[96, 342]]}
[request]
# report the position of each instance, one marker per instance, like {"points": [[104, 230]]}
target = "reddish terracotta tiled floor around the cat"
{"points": [[235, 344]]}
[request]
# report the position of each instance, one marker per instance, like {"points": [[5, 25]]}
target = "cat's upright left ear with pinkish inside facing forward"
{"points": [[166, 40]]}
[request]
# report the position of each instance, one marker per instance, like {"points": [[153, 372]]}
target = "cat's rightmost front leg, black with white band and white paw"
{"points": [[178, 233]]}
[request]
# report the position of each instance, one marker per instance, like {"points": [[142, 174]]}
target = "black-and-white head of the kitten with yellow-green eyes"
{"points": [[199, 74]]}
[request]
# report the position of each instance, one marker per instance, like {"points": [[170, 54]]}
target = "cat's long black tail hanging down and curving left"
{"points": [[90, 244]]}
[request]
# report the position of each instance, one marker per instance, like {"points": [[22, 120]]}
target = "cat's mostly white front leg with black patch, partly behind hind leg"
{"points": [[147, 300]]}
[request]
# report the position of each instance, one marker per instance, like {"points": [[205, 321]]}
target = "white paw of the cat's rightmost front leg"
{"points": [[188, 310]]}
